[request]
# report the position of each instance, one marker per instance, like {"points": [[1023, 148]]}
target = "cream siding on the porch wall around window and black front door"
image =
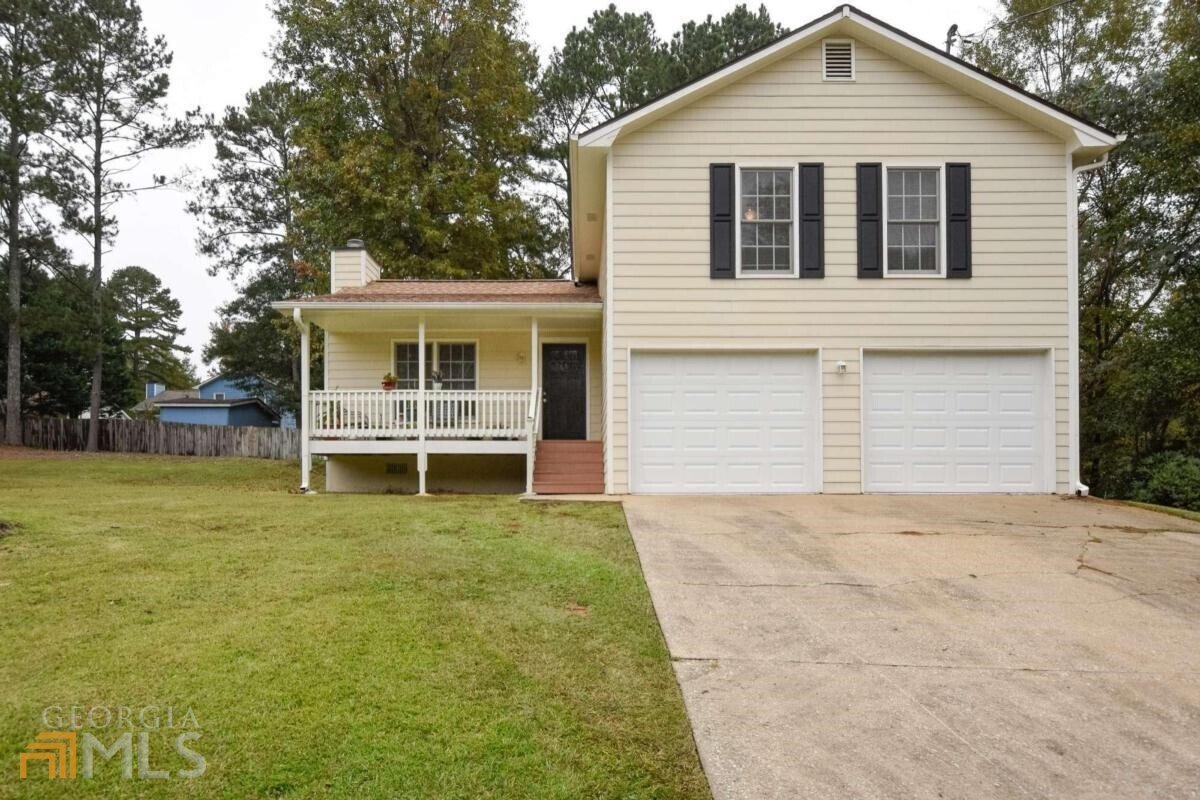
{"points": [[361, 360]]}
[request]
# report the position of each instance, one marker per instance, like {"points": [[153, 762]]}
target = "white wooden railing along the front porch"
{"points": [[449, 414]]}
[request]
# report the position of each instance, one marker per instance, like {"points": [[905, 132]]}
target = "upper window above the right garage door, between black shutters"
{"points": [[914, 222]]}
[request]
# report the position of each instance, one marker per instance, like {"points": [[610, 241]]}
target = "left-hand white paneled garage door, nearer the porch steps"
{"points": [[730, 423]]}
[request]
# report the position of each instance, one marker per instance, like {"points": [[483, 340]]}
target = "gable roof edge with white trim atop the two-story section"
{"points": [[847, 20]]}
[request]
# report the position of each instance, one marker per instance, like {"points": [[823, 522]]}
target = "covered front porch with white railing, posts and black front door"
{"points": [[478, 386]]}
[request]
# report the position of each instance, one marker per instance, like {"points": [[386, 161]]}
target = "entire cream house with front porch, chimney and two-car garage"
{"points": [[844, 263]]}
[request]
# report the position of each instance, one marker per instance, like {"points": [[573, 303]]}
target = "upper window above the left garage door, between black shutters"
{"points": [[765, 213]]}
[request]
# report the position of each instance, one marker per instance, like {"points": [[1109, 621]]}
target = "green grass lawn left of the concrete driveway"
{"points": [[333, 646]]}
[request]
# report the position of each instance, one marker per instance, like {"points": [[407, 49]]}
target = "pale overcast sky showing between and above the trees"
{"points": [[220, 55]]}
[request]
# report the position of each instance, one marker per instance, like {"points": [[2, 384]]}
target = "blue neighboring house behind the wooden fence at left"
{"points": [[227, 400]]}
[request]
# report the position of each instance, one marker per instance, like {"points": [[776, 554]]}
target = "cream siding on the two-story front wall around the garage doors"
{"points": [[784, 115]]}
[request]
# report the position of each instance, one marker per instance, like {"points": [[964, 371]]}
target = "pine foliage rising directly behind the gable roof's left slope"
{"points": [[617, 63]]}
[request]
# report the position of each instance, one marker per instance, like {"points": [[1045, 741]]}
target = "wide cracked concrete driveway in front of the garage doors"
{"points": [[953, 647]]}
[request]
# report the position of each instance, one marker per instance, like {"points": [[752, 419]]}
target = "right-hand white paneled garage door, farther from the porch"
{"points": [[957, 423]]}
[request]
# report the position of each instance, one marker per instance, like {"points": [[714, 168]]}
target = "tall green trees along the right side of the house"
{"points": [[1130, 67]]}
